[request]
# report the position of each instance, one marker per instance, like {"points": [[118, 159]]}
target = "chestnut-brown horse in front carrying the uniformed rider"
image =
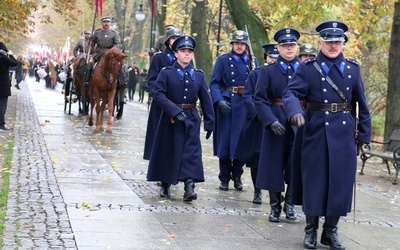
{"points": [[103, 85]]}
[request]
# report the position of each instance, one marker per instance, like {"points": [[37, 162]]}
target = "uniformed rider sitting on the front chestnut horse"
{"points": [[102, 40]]}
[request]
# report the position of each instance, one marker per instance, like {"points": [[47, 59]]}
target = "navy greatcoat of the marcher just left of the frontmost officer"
{"points": [[273, 167]]}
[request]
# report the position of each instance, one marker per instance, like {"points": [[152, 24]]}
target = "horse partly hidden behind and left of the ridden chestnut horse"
{"points": [[82, 93]]}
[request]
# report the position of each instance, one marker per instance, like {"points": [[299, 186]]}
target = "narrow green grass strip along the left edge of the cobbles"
{"points": [[4, 185]]}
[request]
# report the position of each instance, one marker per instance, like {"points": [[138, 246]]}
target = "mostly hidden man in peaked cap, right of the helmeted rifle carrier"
{"points": [[249, 143]]}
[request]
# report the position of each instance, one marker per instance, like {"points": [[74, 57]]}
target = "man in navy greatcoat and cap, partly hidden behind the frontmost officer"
{"points": [[273, 168]]}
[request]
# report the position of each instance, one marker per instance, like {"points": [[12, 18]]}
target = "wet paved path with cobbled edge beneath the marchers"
{"points": [[71, 188]]}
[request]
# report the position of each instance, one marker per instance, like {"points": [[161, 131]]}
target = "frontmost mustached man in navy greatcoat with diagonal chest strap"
{"points": [[328, 133]]}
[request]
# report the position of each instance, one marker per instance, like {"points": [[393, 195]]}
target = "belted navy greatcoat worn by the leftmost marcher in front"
{"points": [[176, 154]]}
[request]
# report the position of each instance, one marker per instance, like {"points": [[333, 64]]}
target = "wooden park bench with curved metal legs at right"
{"points": [[384, 151]]}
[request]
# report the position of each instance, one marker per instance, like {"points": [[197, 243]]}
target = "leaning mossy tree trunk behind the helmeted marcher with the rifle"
{"points": [[242, 15]]}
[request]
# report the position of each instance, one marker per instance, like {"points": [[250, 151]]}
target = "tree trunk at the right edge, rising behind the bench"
{"points": [[392, 120]]}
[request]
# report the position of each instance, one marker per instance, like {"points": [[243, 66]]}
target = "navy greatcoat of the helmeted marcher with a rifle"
{"points": [[229, 70]]}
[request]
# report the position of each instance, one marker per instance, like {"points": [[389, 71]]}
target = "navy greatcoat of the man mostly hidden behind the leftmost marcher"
{"points": [[159, 61]]}
